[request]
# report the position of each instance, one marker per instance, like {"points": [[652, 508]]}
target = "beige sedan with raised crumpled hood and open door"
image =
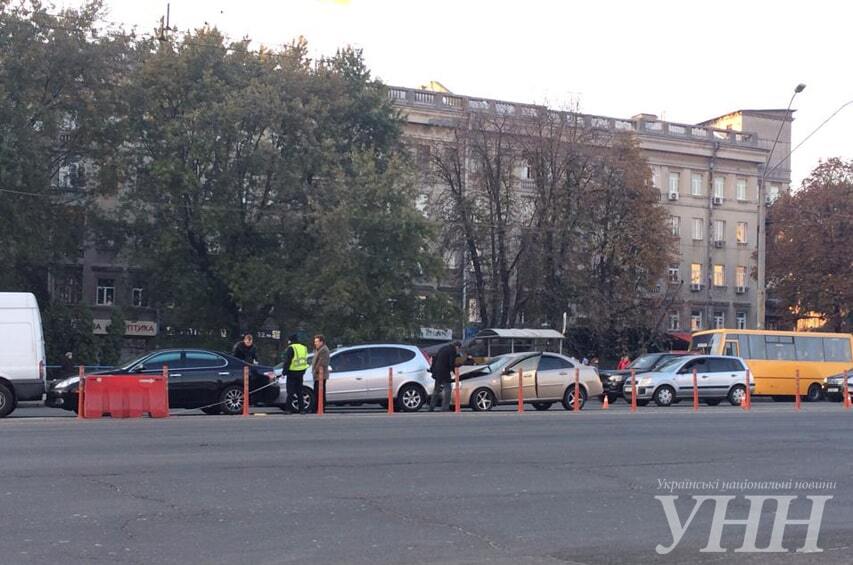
{"points": [[546, 378]]}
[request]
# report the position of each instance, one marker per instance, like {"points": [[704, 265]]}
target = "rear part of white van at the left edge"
{"points": [[22, 363]]}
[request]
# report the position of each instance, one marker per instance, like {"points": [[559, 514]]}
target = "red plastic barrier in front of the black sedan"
{"points": [[125, 396]]}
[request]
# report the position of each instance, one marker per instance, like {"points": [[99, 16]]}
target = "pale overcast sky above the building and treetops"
{"points": [[684, 61]]}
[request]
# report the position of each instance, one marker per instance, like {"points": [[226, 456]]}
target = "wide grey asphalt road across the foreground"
{"points": [[364, 487]]}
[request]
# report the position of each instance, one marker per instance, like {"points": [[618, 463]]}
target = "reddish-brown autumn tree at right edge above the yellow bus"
{"points": [[810, 247]]}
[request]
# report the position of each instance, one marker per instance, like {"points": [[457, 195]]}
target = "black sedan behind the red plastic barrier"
{"points": [[198, 378]]}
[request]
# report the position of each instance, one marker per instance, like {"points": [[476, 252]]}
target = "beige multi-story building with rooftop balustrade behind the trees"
{"points": [[708, 175]]}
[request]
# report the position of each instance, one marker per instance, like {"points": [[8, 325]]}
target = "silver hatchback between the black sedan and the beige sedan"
{"points": [[359, 375]]}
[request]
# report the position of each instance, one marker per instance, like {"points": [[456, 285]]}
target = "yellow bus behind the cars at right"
{"points": [[773, 357]]}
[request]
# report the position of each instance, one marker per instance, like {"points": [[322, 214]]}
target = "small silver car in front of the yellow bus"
{"points": [[718, 378]]}
